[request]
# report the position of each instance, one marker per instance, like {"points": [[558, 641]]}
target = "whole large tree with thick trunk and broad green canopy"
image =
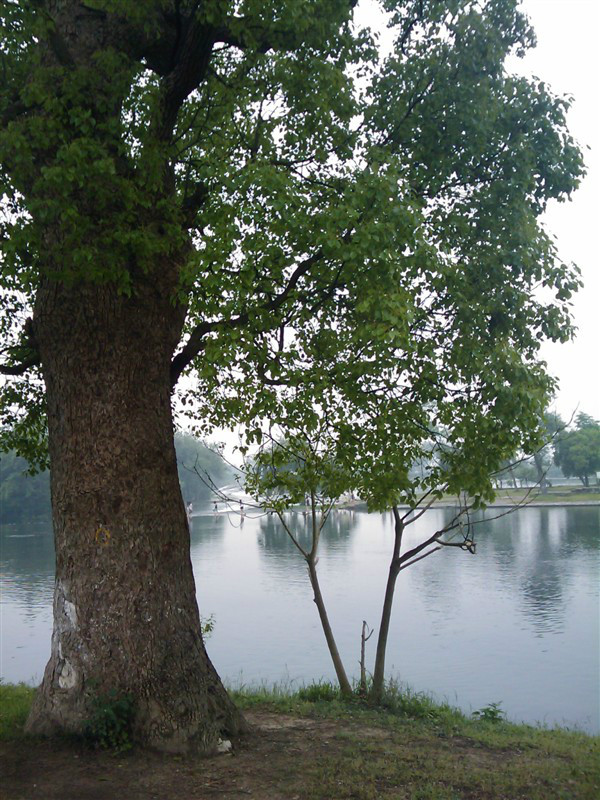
{"points": [[246, 193]]}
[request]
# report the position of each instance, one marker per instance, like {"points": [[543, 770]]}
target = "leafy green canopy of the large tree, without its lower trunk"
{"points": [[355, 239]]}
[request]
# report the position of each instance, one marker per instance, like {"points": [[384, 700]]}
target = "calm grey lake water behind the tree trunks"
{"points": [[517, 623]]}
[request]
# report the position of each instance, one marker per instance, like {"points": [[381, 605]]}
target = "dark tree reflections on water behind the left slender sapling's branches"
{"points": [[276, 544]]}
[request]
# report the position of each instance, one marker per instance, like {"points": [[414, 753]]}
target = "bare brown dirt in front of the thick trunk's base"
{"points": [[280, 760]]}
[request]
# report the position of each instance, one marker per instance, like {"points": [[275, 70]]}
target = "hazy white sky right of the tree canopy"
{"points": [[568, 59]]}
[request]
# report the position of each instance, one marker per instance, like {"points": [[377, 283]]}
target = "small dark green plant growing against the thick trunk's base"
{"points": [[110, 725]]}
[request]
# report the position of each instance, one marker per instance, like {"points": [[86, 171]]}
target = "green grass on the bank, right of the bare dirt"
{"points": [[430, 751]]}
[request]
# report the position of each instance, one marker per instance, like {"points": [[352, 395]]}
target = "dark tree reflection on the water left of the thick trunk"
{"points": [[27, 563]]}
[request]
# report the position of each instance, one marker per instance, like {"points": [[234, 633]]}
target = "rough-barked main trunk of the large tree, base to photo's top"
{"points": [[125, 612]]}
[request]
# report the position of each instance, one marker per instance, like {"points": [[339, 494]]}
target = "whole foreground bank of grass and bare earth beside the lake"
{"points": [[313, 746]]}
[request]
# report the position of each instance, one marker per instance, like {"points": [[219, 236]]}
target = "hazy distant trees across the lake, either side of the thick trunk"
{"points": [[23, 495]]}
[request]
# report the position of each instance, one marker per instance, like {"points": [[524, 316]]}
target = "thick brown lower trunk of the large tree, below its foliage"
{"points": [[125, 612]]}
